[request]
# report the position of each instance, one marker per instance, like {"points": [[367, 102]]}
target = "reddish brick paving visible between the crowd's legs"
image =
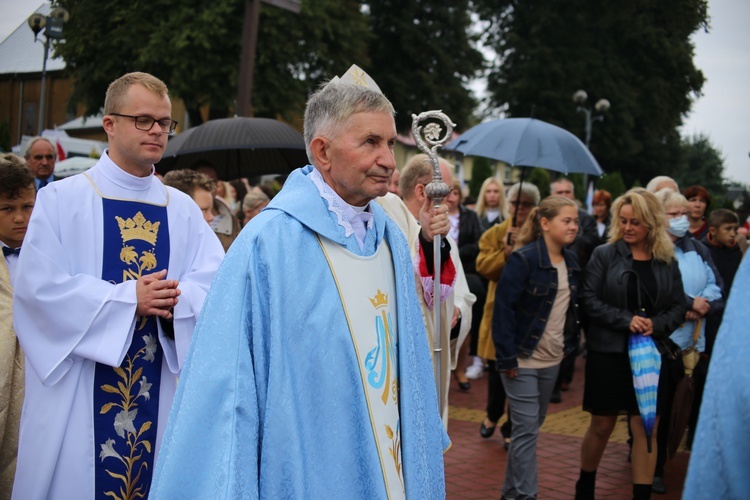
{"points": [[475, 467]]}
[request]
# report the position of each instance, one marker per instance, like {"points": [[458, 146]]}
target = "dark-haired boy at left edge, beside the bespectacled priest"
{"points": [[17, 196]]}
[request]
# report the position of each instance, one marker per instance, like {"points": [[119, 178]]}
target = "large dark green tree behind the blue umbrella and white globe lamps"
{"points": [[637, 54]]}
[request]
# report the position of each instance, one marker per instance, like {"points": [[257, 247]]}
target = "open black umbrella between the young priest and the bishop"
{"points": [[237, 147]]}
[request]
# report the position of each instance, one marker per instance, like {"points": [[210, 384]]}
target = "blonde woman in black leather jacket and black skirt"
{"points": [[638, 261]]}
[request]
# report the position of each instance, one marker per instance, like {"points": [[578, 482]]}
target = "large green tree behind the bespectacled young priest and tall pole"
{"points": [[196, 50]]}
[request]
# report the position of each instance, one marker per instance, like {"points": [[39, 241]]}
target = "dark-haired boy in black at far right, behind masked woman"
{"points": [[721, 239]]}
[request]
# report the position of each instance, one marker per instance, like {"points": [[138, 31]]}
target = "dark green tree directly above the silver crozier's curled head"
{"points": [[422, 57]]}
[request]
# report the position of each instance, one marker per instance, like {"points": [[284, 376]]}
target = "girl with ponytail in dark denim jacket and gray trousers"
{"points": [[533, 326]]}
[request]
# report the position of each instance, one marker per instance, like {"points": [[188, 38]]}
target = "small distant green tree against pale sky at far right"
{"points": [[702, 165]]}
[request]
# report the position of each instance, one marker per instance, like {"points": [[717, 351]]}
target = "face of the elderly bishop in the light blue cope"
{"points": [[360, 159]]}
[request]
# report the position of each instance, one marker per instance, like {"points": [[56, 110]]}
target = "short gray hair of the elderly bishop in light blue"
{"points": [[331, 106]]}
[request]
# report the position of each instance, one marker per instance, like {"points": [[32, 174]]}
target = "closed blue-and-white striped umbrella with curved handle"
{"points": [[645, 363]]}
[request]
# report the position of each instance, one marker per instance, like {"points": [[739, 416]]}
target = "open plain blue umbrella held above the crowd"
{"points": [[527, 142]]}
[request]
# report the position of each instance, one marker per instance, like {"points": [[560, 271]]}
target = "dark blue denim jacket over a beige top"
{"points": [[523, 302]]}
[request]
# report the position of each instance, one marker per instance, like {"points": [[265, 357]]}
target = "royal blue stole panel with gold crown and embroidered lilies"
{"points": [[126, 398]]}
